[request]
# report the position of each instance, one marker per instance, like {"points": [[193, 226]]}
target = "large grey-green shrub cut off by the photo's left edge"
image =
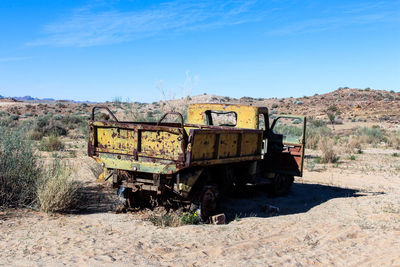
{"points": [[19, 170]]}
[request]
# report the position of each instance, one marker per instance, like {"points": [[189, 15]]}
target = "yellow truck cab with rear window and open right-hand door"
{"points": [[283, 142]]}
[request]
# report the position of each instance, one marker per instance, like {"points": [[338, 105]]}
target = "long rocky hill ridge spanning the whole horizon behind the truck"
{"points": [[348, 105]]}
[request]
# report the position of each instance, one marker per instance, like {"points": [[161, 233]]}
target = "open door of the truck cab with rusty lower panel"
{"points": [[286, 141]]}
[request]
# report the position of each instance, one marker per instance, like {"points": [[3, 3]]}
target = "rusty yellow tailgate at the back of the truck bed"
{"points": [[142, 147]]}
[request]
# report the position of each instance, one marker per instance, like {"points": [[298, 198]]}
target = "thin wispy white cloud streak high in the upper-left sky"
{"points": [[88, 26]]}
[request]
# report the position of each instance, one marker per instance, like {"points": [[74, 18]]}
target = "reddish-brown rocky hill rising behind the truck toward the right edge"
{"points": [[348, 104]]}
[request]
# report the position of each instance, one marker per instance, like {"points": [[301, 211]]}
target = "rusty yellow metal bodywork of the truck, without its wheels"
{"points": [[175, 156]]}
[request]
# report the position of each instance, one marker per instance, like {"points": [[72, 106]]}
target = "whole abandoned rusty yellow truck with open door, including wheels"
{"points": [[221, 148]]}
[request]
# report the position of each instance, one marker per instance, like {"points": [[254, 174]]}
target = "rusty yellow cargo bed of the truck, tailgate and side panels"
{"points": [[169, 147]]}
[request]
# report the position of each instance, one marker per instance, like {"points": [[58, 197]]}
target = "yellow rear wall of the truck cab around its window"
{"points": [[247, 116]]}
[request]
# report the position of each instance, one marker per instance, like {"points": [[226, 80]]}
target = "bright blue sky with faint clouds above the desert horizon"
{"points": [[100, 50]]}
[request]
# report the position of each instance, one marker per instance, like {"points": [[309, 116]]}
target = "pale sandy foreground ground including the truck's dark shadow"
{"points": [[345, 215]]}
